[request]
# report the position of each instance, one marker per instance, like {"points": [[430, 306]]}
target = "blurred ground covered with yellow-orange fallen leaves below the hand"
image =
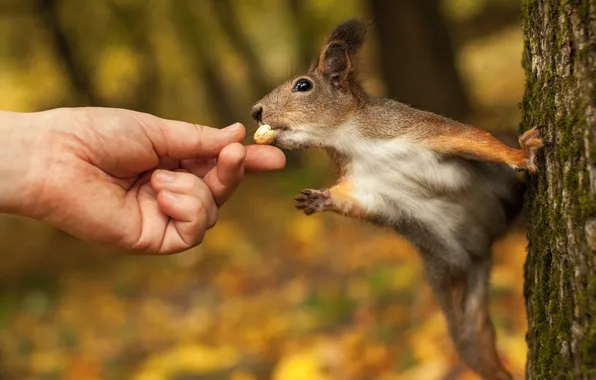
{"points": [[316, 297]]}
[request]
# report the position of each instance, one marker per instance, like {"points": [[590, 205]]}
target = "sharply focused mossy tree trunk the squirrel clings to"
{"points": [[560, 287]]}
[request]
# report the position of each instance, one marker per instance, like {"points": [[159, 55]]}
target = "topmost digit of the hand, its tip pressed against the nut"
{"points": [[180, 140]]}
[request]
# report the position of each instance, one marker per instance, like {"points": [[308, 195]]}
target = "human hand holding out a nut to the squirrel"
{"points": [[128, 180]]}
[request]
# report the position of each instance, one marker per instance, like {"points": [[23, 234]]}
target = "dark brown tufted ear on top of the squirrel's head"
{"points": [[336, 60]]}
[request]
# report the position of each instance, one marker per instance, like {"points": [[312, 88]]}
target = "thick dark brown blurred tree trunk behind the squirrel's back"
{"points": [[417, 59]]}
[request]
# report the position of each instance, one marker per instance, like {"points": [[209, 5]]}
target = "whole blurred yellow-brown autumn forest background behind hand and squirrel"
{"points": [[271, 294]]}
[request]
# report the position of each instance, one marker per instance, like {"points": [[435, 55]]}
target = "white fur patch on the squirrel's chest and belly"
{"points": [[389, 173]]}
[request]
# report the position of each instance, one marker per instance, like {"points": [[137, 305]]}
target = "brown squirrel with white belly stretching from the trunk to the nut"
{"points": [[447, 187]]}
